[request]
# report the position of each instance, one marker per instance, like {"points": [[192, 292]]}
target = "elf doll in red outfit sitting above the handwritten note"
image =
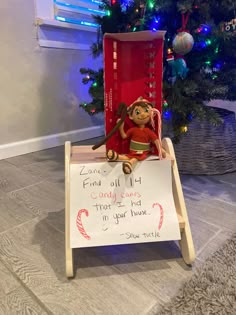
{"points": [[142, 113]]}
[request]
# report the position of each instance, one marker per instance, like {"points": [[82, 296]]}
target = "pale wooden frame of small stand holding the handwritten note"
{"points": [[81, 154]]}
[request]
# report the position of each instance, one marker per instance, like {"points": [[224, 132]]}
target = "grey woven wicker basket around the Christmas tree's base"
{"points": [[208, 150]]}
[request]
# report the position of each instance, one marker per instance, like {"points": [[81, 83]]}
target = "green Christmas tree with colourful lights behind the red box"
{"points": [[199, 54]]}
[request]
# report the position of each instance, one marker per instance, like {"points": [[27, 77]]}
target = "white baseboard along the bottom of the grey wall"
{"points": [[41, 143]]}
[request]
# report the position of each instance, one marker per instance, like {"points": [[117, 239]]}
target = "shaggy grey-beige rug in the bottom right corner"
{"points": [[212, 288]]}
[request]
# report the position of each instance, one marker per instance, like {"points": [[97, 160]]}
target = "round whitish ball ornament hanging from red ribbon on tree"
{"points": [[183, 43]]}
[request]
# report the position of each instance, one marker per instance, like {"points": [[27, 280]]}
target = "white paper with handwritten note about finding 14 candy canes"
{"points": [[108, 207]]}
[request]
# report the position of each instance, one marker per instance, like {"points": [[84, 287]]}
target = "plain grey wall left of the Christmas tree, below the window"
{"points": [[40, 88]]}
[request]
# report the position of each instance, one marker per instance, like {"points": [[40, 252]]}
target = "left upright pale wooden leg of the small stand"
{"points": [[68, 249]]}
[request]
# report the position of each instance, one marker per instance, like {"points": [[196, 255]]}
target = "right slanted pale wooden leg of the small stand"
{"points": [[186, 242]]}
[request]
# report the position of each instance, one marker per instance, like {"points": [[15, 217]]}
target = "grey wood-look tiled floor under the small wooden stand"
{"points": [[128, 279]]}
